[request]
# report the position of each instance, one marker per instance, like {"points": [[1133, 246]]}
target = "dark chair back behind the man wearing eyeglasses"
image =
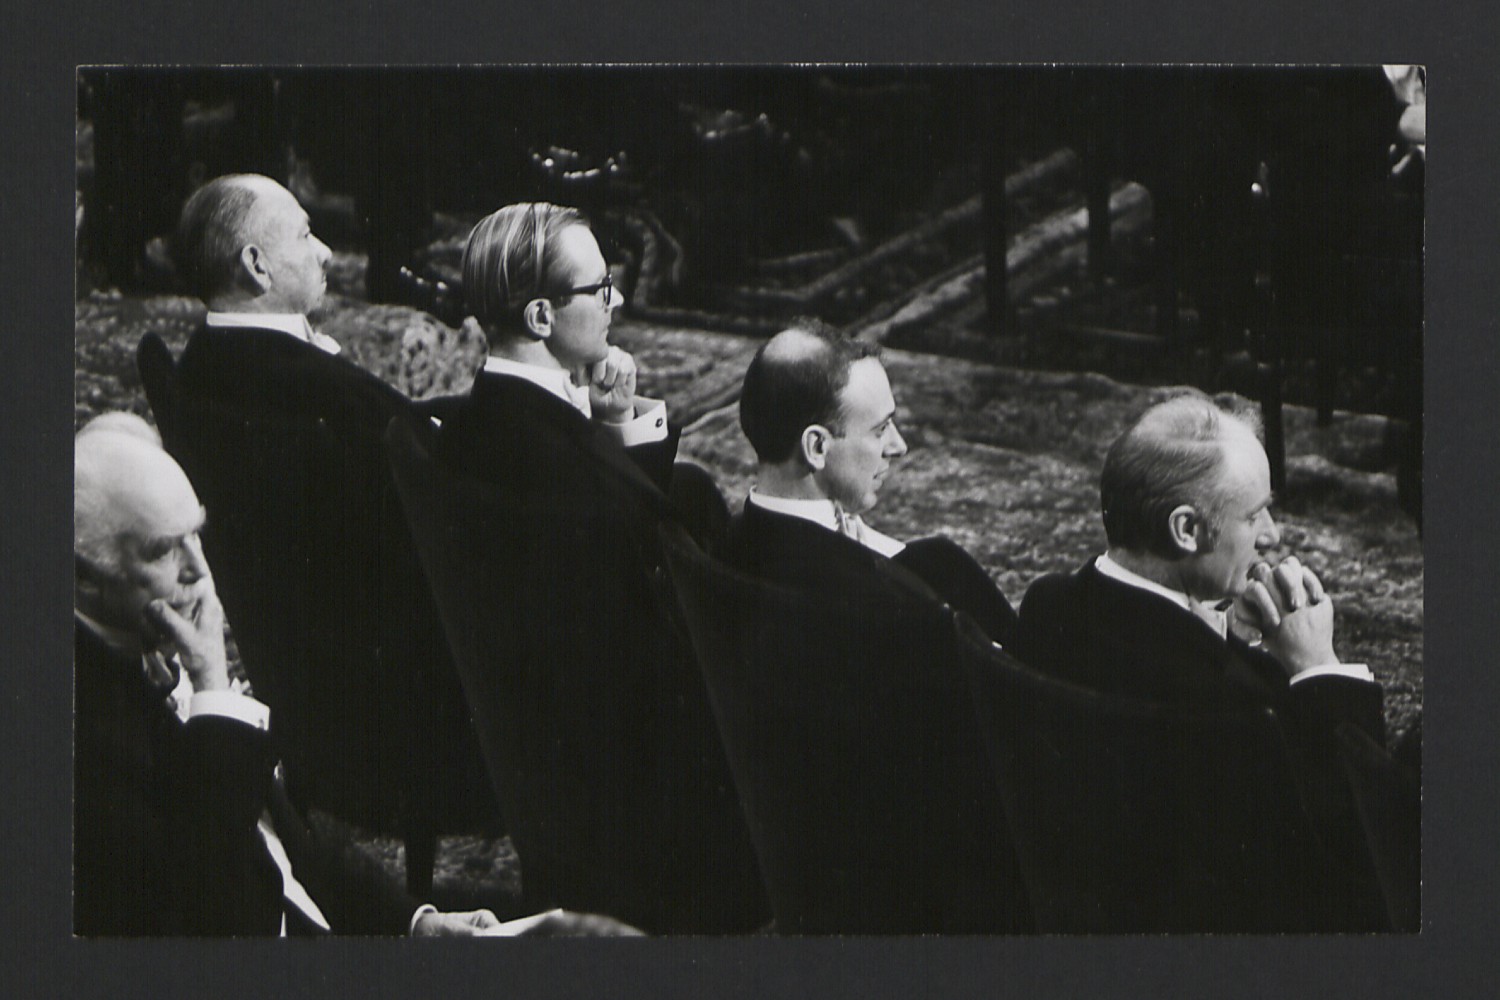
{"points": [[616, 789]]}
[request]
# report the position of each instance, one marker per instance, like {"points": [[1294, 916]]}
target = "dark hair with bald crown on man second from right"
{"points": [[794, 382]]}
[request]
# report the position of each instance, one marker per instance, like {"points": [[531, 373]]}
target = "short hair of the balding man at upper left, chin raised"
{"points": [[212, 232]]}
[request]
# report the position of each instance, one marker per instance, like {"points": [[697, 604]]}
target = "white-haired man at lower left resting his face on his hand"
{"points": [[182, 825]]}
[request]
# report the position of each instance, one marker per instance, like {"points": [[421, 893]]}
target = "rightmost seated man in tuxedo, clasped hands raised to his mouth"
{"points": [[1183, 608]]}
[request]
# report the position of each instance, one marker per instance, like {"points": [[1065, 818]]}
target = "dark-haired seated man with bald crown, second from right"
{"points": [[820, 413]]}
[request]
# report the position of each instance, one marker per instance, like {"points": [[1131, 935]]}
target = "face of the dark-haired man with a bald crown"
{"points": [[857, 460]]}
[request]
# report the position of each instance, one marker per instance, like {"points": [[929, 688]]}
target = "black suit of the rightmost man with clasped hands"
{"points": [[1109, 636]]}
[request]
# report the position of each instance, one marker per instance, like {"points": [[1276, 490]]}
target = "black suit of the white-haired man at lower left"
{"points": [[166, 815]]}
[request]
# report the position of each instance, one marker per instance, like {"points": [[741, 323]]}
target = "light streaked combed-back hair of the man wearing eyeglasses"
{"points": [[512, 259]]}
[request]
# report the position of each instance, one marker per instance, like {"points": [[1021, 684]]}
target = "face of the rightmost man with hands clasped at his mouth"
{"points": [[1246, 530]]}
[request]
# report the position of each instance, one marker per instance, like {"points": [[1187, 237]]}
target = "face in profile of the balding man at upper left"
{"points": [[292, 259]]}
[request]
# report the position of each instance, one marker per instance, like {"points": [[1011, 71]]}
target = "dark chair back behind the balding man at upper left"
{"points": [[328, 602]]}
